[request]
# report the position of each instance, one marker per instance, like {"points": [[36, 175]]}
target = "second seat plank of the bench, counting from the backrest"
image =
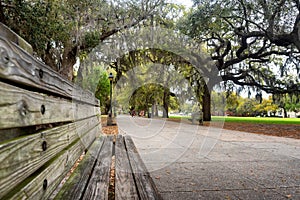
{"points": [[99, 182]]}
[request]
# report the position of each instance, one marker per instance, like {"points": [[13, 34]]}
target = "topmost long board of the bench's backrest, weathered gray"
{"points": [[19, 67]]}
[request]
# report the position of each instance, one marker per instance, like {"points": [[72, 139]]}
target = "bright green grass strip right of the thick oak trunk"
{"points": [[258, 120]]}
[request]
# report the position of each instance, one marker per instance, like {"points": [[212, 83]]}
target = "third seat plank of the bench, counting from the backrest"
{"points": [[124, 182]]}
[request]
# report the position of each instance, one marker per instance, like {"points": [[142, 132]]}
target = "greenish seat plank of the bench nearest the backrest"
{"points": [[74, 188]]}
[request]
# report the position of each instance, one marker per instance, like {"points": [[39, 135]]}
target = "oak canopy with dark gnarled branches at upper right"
{"points": [[254, 43]]}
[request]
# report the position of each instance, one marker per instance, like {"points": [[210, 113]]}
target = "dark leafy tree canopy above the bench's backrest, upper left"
{"points": [[60, 31]]}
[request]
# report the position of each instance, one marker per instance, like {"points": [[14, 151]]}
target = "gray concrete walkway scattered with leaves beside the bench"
{"points": [[196, 162]]}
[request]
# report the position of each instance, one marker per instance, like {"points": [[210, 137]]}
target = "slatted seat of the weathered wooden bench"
{"points": [[91, 179]]}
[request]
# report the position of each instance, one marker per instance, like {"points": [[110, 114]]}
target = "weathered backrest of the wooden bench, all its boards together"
{"points": [[46, 122]]}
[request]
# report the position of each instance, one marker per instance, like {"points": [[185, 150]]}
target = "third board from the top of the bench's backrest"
{"points": [[21, 157]]}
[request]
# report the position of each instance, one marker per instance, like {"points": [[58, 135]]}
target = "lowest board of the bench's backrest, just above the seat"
{"points": [[53, 174]]}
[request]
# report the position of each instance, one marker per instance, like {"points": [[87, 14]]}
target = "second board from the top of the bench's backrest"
{"points": [[19, 108]]}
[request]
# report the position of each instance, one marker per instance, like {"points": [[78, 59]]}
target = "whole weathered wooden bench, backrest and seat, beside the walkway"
{"points": [[46, 125]]}
